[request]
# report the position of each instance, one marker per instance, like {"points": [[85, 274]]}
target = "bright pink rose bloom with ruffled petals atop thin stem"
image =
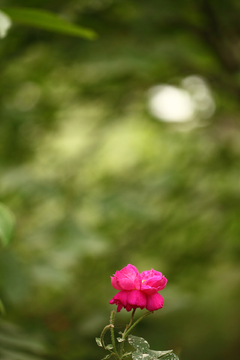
{"points": [[138, 290]]}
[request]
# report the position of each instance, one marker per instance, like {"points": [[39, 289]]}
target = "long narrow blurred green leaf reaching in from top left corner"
{"points": [[48, 21]]}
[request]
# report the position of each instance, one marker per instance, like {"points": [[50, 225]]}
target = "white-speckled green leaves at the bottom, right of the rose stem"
{"points": [[143, 351]]}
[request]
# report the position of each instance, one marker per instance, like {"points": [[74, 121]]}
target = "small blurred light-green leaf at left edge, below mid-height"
{"points": [[7, 222]]}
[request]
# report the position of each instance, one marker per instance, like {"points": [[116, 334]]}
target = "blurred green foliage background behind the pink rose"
{"points": [[97, 181]]}
